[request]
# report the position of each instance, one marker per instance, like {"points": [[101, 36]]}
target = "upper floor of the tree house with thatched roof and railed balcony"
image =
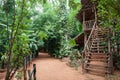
{"points": [[87, 15]]}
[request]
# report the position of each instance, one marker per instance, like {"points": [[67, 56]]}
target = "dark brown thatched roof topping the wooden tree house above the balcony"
{"points": [[87, 6]]}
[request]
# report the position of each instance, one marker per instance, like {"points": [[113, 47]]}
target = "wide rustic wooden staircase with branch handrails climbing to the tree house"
{"points": [[97, 58]]}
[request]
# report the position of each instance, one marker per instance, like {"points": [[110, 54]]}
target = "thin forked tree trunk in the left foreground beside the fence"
{"points": [[12, 38]]}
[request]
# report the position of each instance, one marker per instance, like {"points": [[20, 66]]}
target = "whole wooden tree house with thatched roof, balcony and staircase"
{"points": [[96, 56]]}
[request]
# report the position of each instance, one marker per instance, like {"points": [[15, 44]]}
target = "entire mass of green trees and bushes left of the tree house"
{"points": [[27, 26]]}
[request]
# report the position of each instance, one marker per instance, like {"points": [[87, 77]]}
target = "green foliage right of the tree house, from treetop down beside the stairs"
{"points": [[109, 16]]}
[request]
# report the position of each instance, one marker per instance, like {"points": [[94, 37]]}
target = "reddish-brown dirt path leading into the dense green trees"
{"points": [[54, 69]]}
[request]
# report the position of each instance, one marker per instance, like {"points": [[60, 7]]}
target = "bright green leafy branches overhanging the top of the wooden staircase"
{"points": [[109, 15]]}
